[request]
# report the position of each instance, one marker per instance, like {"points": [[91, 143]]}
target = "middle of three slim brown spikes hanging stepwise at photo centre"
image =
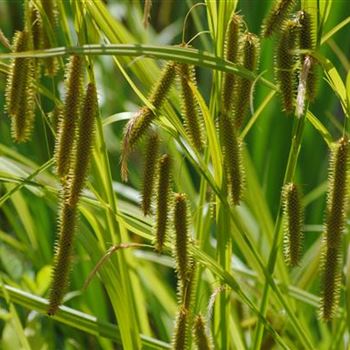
{"points": [[162, 202]]}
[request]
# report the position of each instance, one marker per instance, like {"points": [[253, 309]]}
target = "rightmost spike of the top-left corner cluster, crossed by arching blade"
{"points": [[50, 9]]}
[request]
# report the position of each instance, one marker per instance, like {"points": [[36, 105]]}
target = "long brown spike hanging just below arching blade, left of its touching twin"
{"points": [[70, 116]]}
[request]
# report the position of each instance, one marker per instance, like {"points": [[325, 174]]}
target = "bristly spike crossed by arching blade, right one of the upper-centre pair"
{"points": [[250, 52]]}
